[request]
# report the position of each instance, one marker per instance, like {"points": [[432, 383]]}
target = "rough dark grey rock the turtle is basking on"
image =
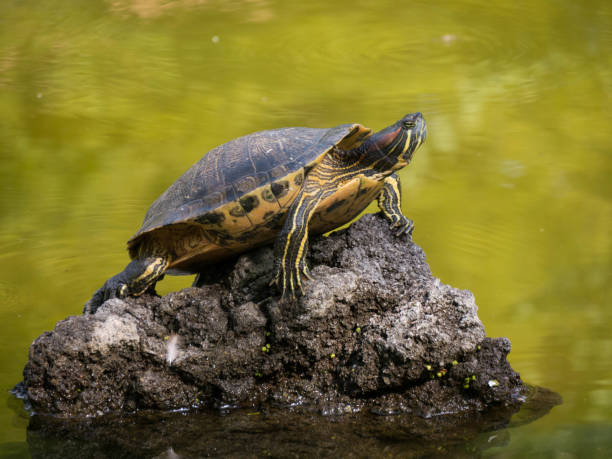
{"points": [[375, 331]]}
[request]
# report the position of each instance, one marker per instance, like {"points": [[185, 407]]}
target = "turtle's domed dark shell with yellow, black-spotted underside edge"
{"points": [[237, 195]]}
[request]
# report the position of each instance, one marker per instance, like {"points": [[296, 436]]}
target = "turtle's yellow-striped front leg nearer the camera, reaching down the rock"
{"points": [[292, 243]]}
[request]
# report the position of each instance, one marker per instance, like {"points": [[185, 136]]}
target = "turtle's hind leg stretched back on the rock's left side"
{"points": [[137, 277]]}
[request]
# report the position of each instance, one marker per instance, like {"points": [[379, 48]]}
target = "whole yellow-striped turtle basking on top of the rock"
{"points": [[275, 185]]}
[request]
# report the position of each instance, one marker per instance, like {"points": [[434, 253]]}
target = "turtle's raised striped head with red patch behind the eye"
{"points": [[399, 141]]}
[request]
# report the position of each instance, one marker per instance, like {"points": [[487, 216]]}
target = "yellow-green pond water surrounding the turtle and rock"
{"points": [[103, 104]]}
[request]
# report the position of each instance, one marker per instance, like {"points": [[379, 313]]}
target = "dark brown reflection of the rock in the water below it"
{"points": [[281, 433]]}
